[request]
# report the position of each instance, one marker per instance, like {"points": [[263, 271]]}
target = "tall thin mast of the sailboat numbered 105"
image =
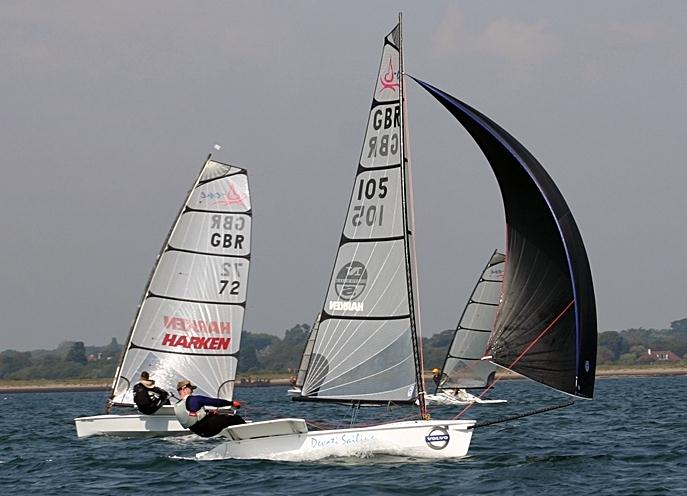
{"points": [[409, 228]]}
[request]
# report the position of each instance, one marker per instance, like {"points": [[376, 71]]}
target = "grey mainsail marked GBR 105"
{"points": [[365, 347]]}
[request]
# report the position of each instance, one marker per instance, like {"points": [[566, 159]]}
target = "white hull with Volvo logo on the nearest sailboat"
{"points": [[290, 440]]}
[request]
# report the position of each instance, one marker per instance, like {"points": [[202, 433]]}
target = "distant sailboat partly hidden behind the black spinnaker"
{"points": [[463, 367]]}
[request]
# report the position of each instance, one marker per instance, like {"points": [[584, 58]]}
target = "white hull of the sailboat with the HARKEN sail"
{"points": [[160, 424]]}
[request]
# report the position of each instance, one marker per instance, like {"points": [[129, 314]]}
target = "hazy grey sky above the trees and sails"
{"points": [[108, 110]]}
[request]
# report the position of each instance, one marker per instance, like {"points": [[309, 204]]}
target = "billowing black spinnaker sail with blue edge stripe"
{"points": [[547, 266]]}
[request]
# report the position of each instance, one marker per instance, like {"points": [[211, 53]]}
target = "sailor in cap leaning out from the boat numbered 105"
{"points": [[191, 411]]}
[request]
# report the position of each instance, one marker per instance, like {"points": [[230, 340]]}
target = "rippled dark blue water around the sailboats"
{"points": [[631, 440]]}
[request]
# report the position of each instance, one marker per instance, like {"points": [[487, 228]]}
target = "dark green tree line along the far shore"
{"points": [[269, 354]]}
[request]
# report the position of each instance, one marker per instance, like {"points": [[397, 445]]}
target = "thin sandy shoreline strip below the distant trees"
{"points": [[74, 386]]}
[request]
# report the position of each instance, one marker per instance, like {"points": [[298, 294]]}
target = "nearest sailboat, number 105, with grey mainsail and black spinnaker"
{"points": [[366, 348]]}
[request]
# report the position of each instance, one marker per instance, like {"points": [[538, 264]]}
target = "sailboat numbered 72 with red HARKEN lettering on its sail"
{"points": [[188, 324]]}
